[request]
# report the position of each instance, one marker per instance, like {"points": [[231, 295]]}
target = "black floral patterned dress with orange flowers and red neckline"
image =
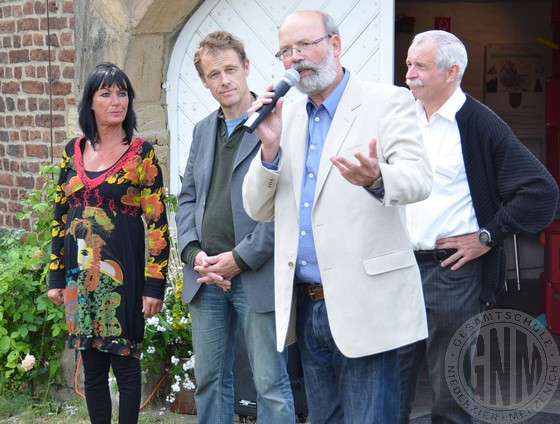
{"points": [[102, 222]]}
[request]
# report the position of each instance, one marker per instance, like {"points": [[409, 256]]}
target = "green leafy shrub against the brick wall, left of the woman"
{"points": [[30, 324]]}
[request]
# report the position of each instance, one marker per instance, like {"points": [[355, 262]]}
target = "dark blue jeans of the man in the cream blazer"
{"points": [[341, 389]]}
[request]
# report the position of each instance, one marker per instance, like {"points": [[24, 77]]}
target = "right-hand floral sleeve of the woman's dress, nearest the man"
{"points": [[152, 201]]}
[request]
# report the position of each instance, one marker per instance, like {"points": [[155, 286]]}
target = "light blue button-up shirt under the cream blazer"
{"points": [[320, 119]]}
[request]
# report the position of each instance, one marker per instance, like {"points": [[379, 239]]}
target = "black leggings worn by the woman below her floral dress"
{"points": [[96, 383]]}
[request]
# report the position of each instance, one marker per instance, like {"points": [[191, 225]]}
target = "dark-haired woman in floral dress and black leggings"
{"points": [[110, 242]]}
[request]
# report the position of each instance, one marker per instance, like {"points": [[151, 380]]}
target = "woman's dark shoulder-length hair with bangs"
{"points": [[105, 75]]}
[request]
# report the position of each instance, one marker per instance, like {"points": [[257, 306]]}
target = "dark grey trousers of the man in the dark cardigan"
{"points": [[452, 297]]}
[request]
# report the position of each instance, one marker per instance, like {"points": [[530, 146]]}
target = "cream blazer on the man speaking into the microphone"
{"points": [[372, 286]]}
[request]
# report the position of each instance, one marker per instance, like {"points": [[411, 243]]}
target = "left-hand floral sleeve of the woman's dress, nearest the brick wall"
{"points": [[56, 275]]}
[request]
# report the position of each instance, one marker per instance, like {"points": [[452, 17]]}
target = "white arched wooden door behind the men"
{"points": [[366, 29]]}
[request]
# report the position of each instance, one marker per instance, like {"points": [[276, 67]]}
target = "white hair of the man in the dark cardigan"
{"points": [[450, 50]]}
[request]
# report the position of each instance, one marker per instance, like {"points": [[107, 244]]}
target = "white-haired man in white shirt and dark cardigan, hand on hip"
{"points": [[486, 186]]}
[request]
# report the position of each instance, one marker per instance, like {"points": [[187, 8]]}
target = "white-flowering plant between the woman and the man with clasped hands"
{"points": [[167, 335]]}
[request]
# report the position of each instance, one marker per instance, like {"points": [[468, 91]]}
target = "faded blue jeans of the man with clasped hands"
{"points": [[215, 315]]}
